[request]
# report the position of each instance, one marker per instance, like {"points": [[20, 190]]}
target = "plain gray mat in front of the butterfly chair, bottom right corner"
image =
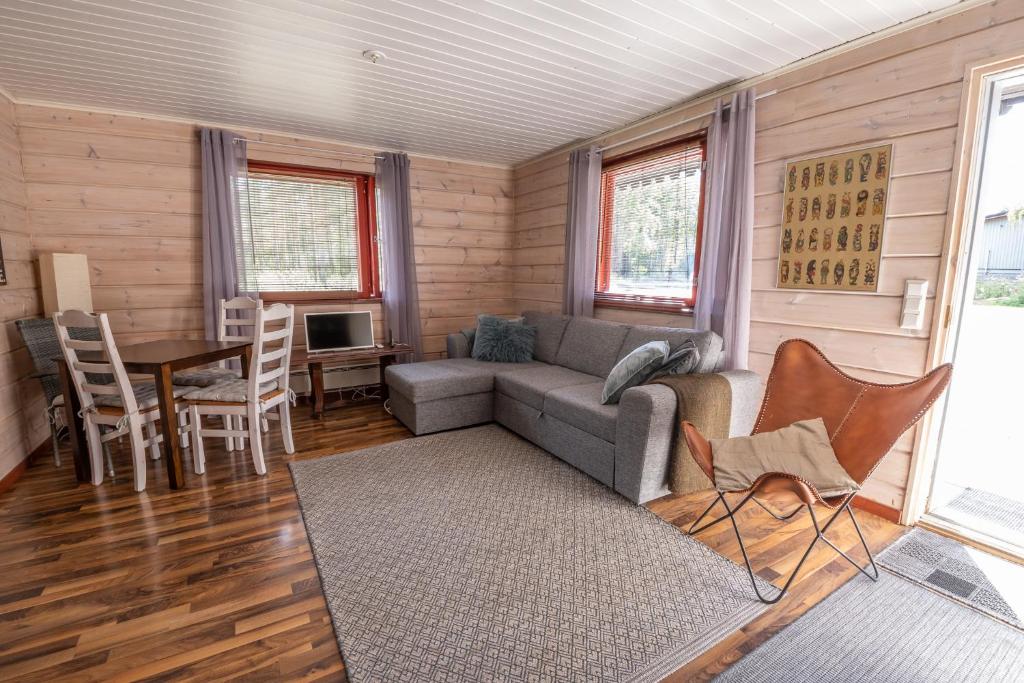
{"points": [[893, 631]]}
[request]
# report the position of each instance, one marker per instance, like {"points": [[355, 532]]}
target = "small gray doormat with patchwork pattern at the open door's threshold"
{"points": [[946, 566]]}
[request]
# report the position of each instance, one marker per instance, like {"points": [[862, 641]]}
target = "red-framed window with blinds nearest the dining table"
{"points": [[308, 234]]}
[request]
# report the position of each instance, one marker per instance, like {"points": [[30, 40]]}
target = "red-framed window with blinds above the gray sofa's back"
{"points": [[650, 241]]}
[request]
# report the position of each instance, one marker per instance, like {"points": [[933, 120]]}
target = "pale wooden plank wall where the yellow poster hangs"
{"points": [[905, 90]]}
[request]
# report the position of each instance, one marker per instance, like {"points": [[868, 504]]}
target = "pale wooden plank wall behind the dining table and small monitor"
{"points": [[125, 191]]}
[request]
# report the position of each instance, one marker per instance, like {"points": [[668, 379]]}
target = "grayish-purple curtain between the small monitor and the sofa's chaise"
{"points": [[402, 301]]}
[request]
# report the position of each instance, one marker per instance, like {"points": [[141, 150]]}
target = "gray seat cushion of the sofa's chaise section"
{"points": [[443, 379]]}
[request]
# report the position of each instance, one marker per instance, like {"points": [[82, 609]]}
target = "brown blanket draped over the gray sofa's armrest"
{"points": [[705, 401]]}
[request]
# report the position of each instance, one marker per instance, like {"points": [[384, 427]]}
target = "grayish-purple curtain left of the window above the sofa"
{"points": [[581, 232]]}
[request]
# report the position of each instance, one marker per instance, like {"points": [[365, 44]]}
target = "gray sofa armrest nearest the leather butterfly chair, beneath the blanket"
{"points": [[648, 428]]}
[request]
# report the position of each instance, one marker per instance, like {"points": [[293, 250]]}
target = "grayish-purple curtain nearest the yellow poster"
{"points": [[724, 281]]}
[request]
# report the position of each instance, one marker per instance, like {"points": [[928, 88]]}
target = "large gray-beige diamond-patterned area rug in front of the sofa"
{"points": [[475, 556]]}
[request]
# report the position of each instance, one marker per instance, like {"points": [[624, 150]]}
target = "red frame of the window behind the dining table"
{"points": [[366, 216]]}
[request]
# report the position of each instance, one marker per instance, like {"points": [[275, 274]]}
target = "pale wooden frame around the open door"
{"points": [[960, 215]]}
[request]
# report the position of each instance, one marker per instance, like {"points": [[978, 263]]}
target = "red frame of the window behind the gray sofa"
{"points": [[603, 297]]}
